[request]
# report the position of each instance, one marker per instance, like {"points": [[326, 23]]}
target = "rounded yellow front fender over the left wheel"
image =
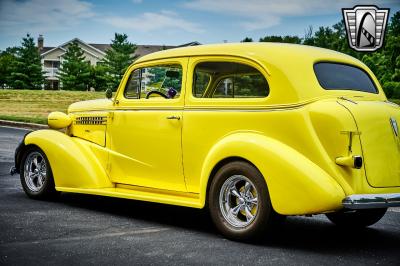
{"points": [[75, 163]]}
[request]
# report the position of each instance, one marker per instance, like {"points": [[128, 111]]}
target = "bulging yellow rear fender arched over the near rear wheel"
{"points": [[296, 185]]}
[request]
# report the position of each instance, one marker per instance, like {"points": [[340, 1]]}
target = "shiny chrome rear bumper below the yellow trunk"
{"points": [[371, 201]]}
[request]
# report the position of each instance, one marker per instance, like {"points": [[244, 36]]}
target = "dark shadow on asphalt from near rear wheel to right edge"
{"points": [[318, 234]]}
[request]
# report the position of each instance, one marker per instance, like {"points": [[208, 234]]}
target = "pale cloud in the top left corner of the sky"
{"points": [[40, 16]]}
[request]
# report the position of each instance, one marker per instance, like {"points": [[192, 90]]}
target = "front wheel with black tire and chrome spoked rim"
{"points": [[36, 176]]}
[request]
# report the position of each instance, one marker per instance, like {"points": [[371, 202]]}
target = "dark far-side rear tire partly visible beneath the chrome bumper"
{"points": [[356, 218]]}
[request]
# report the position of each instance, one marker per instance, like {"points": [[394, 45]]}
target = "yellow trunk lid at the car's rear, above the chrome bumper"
{"points": [[378, 122]]}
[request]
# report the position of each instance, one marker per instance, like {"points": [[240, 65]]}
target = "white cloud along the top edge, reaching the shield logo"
{"points": [[262, 14]]}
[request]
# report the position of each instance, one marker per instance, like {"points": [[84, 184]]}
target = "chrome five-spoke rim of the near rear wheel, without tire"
{"points": [[238, 201]]}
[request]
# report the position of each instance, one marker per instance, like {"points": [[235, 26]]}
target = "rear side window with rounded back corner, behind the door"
{"points": [[229, 80]]}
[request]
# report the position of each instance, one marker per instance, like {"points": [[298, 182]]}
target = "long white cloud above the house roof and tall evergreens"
{"points": [[153, 21]]}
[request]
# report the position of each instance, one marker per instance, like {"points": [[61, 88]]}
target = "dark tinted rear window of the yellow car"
{"points": [[334, 76]]}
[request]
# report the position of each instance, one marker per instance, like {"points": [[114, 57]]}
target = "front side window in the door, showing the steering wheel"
{"points": [[163, 81]]}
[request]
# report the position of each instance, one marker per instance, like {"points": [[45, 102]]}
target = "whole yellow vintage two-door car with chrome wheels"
{"points": [[254, 132]]}
